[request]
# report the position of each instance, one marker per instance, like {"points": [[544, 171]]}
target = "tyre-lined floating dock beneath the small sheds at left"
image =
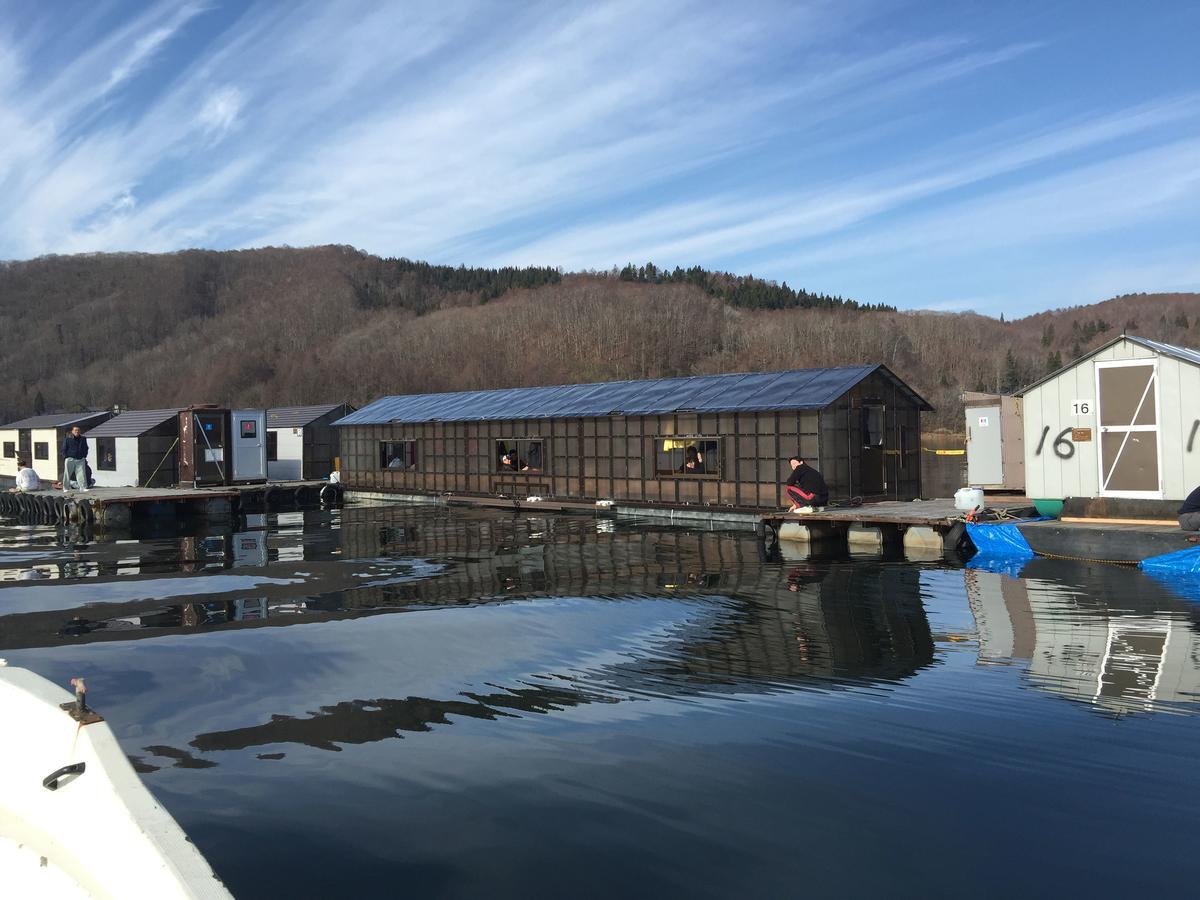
{"points": [[117, 507]]}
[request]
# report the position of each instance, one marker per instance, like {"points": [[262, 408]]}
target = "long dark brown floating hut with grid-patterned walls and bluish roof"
{"points": [[631, 442]]}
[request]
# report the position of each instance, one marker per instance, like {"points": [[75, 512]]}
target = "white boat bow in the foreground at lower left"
{"points": [[99, 833]]}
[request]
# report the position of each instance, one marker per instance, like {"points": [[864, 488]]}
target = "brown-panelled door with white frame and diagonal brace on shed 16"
{"points": [[1127, 413]]}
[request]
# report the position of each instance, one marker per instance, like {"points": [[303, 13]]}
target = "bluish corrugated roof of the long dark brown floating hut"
{"points": [[801, 389]]}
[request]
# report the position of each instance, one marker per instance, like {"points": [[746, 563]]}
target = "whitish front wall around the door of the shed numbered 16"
{"points": [[1049, 411]]}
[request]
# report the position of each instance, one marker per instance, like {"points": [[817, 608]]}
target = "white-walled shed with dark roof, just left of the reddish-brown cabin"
{"points": [[136, 449]]}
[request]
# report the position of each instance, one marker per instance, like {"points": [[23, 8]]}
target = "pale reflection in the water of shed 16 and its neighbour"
{"points": [[1125, 655]]}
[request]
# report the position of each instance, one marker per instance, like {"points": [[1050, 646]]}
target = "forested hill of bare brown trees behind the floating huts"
{"points": [[281, 327]]}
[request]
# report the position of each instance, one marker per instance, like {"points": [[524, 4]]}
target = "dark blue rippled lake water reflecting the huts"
{"points": [[389, 701]]}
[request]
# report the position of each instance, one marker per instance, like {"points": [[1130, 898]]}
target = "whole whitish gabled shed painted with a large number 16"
{"points": [[1121, 422]]}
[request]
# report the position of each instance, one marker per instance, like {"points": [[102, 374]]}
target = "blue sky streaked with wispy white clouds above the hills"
{"points": [[969, 155]]}
